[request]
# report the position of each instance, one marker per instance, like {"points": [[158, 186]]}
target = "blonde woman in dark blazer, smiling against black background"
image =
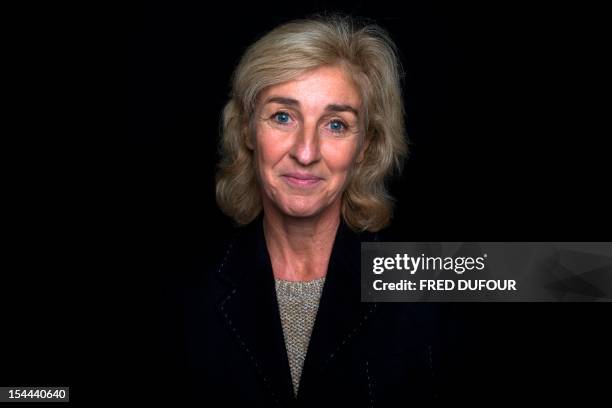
{"points": [[313, 128]]}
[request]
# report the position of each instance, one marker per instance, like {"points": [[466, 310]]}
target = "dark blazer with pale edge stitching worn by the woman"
{"points": [[228, 346]]}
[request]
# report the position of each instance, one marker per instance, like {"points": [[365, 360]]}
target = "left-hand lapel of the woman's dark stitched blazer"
{"points": [[250, 311]]}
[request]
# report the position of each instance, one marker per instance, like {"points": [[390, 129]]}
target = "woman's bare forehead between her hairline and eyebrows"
{"points": [[319, 87]]}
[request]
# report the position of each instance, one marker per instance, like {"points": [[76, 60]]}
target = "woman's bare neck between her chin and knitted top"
{"points": [[300, 248]]}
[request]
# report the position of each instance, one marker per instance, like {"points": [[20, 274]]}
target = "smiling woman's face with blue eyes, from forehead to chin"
{"points": [[307, 136]]}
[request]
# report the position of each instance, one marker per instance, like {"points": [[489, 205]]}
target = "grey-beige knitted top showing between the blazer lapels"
{"points": [[298, 303]]}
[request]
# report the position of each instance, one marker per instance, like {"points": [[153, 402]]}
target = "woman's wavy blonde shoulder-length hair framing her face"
{"points": [[283, 54]]}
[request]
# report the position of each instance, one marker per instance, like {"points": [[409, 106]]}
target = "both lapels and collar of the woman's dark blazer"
{"points": [[250, 309]]}
